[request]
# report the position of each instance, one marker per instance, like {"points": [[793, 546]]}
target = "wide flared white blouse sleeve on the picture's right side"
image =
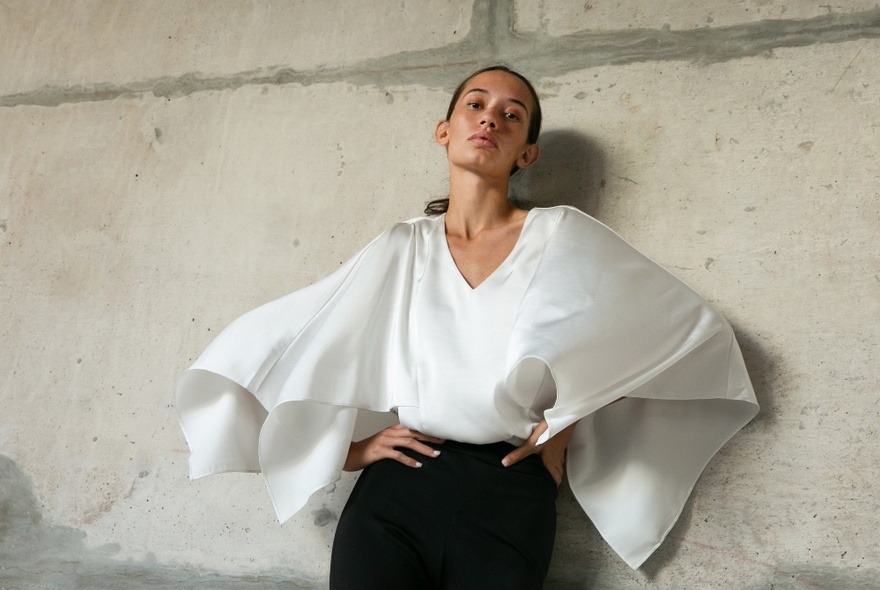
{"points": [[610, 324]]}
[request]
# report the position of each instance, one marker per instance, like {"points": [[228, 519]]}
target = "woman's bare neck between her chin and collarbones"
{"points": [[477, 203]]}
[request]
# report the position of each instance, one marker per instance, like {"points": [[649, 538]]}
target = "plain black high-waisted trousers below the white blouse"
{"points": [[461, 521]]}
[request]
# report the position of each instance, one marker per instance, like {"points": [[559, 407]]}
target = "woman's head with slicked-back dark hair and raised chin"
{"points": [[488, 130]]}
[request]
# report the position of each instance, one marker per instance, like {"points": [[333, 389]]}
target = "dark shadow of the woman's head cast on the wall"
{"points": [[570, 171]]}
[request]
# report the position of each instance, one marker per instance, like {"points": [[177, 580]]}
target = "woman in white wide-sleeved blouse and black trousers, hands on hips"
{"points": [[503, 340]]}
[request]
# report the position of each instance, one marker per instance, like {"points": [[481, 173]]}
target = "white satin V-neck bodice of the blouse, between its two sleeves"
{"points": [[461, 335]]}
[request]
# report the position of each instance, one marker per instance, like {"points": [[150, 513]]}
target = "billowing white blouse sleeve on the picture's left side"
{"points": [[284, 387]]}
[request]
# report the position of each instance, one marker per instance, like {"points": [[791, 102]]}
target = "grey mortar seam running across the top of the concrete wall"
{"points": [[493, 37]]}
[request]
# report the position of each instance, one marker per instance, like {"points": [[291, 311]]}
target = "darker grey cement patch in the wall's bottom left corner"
{"points": [[35, 554]]}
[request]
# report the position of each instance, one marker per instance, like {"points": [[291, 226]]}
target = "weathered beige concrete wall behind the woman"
{"points": [[166, 165]]}
